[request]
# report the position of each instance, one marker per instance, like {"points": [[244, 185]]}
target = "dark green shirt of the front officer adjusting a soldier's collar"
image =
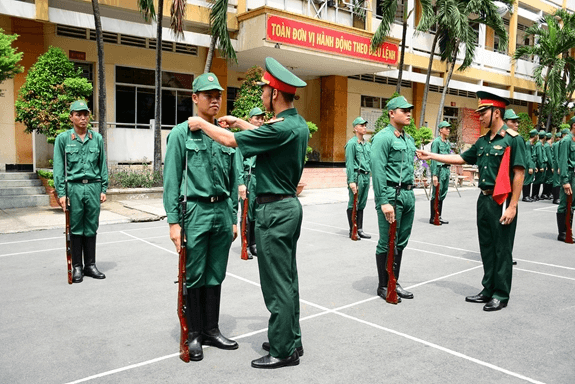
{"points": [[280, 147]]}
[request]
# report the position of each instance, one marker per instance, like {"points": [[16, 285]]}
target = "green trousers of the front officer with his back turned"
{"points": [[278, 227]]}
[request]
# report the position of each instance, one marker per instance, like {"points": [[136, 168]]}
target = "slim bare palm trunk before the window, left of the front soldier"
{"points": [[158, 114]]}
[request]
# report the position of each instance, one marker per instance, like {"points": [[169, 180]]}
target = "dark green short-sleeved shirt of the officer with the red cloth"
{"points": [[487, 154]]}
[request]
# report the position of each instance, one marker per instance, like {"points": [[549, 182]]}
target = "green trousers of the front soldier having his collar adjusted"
{"points": [[209, 234]]}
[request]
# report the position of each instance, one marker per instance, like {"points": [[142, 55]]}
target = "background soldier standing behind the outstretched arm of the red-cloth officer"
{"points": [[440, 171]]}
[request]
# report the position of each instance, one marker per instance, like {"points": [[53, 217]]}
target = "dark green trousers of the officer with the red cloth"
{"points": [[496, 246]]}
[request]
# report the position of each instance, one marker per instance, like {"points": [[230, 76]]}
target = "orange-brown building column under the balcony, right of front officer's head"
{"points": [[333, 118]]}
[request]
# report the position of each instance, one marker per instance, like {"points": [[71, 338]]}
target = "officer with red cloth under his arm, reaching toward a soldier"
{"points": [[496, 224]]}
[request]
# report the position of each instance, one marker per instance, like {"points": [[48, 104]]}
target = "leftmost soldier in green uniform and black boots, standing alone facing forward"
{"points": [[81, 174]]}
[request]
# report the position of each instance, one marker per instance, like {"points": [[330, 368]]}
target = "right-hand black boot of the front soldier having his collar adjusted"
{"points": [[211, 334]]}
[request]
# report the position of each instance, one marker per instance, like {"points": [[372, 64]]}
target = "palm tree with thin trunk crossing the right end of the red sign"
{"points": [[388, 9]]}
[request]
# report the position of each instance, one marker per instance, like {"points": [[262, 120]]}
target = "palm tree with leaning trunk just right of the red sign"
{"points": [[455, 30]]}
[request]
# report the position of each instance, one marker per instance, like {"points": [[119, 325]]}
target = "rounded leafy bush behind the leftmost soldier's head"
{"points": [[52, 84]]}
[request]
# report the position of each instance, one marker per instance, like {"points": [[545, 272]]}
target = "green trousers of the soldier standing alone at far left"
{"points": [[84, 208]]}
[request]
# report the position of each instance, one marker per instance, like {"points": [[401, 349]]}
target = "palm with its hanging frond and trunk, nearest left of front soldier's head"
{"points": [[148, 12]]}
